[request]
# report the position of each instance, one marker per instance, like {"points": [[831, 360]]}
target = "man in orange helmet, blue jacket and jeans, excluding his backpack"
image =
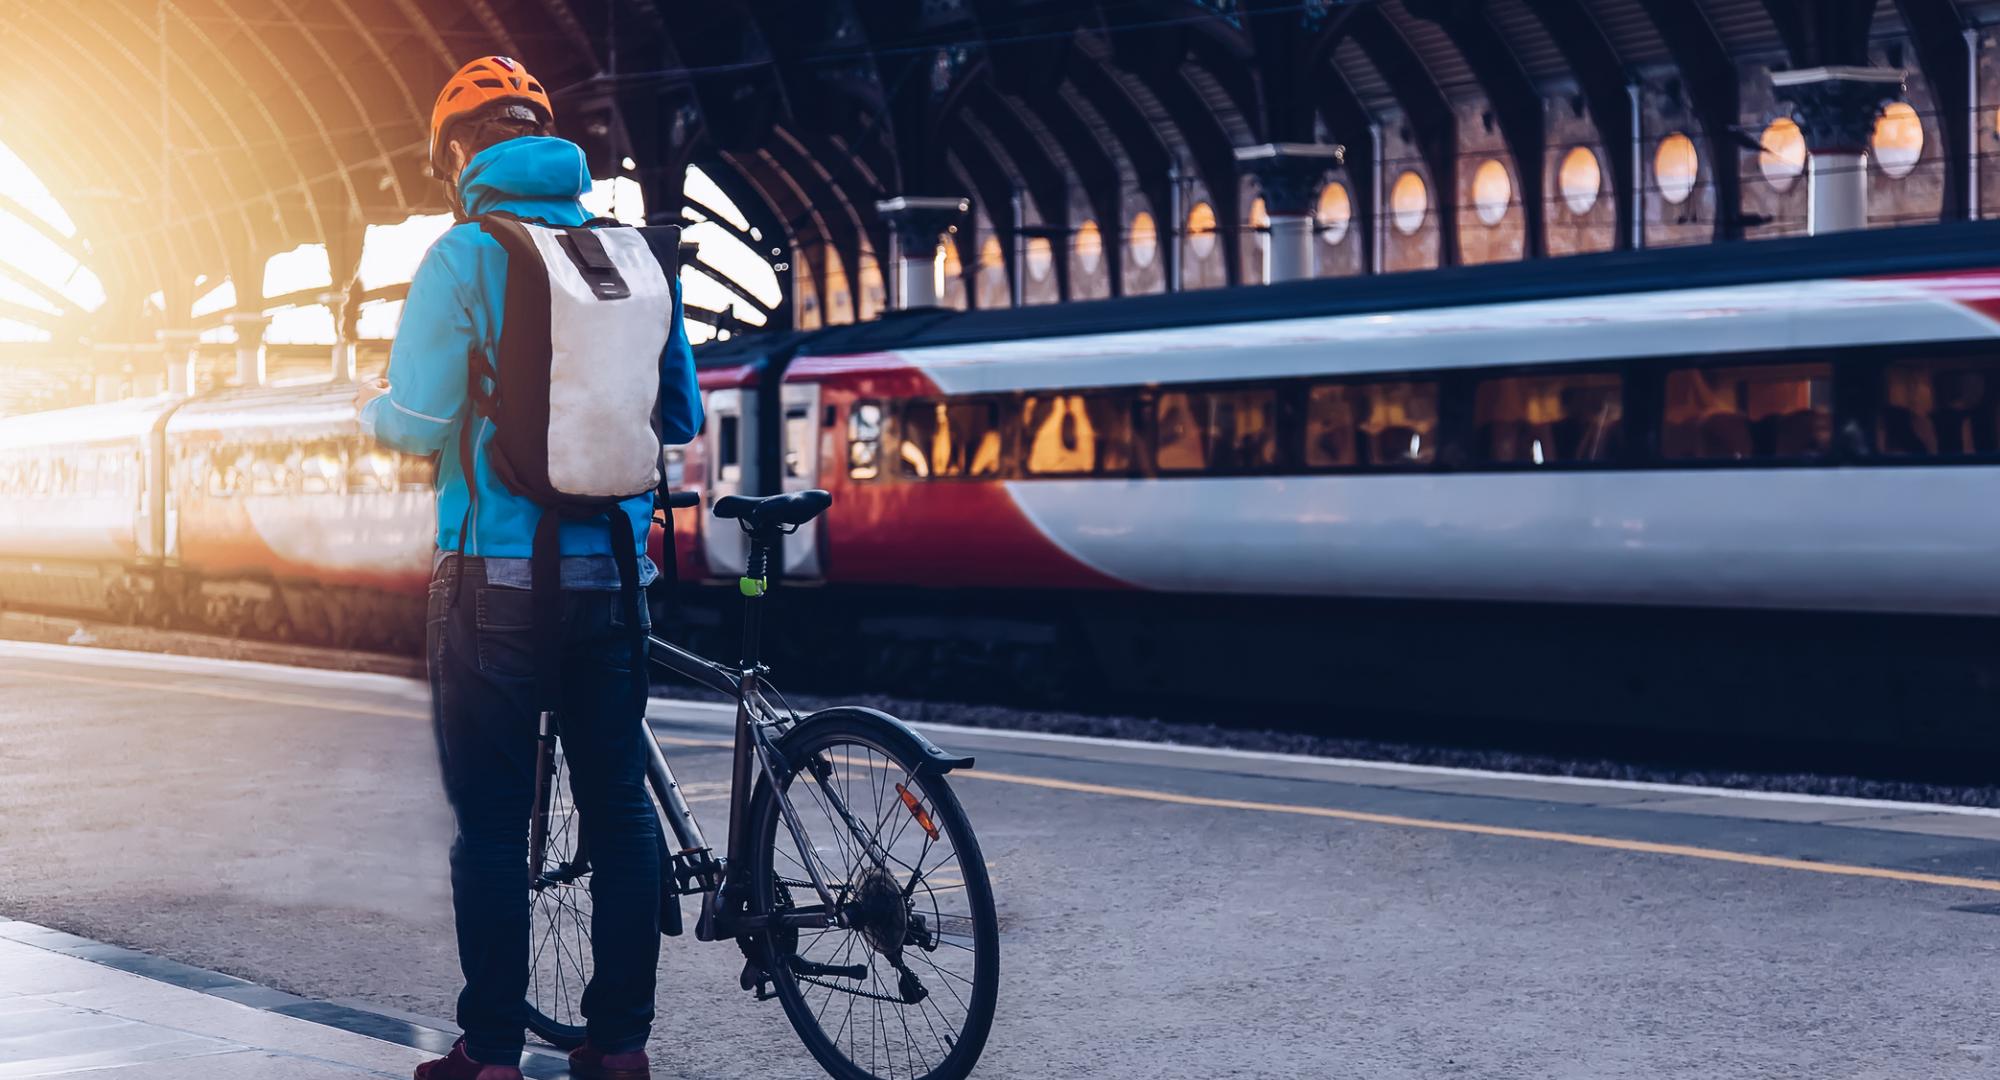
{"points": [[493, 149]]}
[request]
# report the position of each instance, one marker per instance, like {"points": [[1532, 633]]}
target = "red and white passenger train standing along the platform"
{"points": [[1741, 489]]}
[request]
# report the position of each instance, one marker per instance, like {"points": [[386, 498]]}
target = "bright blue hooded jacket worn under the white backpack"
{"points": [[455, 303]]}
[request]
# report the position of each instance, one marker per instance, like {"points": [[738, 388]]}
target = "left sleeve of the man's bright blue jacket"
{"points": [[427, 365]]}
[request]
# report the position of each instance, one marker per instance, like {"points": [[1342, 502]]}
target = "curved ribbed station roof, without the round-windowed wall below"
{"points": [[197, 137]]}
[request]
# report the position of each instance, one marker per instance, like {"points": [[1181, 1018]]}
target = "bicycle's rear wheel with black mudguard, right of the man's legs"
{"points": [[905, 985]]}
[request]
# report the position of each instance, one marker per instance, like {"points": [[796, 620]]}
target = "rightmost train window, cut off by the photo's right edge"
{"points": [[1941, 407]]}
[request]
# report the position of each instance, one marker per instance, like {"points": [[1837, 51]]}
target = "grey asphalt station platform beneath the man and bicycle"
{"points": [[1213, 913]]}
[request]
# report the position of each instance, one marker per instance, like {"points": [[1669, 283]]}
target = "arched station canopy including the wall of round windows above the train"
{"points": [[1099, 149]]}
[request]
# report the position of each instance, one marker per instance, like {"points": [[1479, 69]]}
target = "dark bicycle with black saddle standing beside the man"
{"points": [[883, 907]]}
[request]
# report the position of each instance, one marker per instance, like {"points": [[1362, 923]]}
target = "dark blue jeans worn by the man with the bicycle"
{"points": [[483, 663]]}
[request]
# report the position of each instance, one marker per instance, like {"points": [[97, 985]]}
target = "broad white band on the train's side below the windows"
{"points": [[1809, 539]]}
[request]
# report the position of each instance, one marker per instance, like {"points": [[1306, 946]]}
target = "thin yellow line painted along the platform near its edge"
{"points": [[1149, 795]]}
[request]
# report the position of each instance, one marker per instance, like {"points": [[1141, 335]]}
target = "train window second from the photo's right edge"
{"points": [[1777, 411]]}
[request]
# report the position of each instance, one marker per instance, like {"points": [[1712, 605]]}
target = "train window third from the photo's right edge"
{"points": [[1547, 419]]}
